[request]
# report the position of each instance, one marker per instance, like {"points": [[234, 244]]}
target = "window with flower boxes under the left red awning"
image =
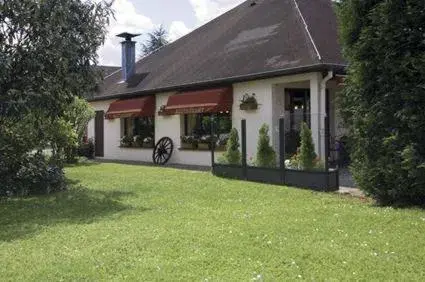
{"points": [[138, 132]]}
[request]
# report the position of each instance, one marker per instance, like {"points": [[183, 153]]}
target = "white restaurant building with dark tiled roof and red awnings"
{"points": [[285, 52]]}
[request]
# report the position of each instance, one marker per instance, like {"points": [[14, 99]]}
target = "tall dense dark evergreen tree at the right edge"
{"points": [[384, 98]]}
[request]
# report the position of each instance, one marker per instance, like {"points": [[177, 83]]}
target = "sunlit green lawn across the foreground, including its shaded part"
{"points": [[124, 222]]}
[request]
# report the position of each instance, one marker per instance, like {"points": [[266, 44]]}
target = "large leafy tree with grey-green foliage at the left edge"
{"points": [[47, 53]]}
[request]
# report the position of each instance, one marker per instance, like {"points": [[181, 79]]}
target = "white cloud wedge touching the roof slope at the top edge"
{"points": [[206, 10]]}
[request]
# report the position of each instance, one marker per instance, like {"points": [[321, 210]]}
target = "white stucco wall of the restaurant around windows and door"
{"points": [[270, 94]]}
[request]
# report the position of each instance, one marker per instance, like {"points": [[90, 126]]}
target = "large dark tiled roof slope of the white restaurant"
{"points": [[248, 42]]}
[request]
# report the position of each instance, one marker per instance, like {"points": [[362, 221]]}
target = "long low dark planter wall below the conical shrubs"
{"points": [[315, 180]]}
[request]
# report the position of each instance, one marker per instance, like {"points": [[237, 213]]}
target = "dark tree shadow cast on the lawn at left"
{"points": [[21, 218]]}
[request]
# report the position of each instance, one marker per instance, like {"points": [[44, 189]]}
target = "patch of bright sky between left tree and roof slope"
{"points": [[141, 16]]}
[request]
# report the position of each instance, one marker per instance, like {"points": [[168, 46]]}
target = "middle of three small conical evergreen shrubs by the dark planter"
{"points": [[266, 156]]}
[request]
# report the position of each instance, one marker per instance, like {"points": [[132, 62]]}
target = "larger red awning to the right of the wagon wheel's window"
{"points": [[204, 101]]}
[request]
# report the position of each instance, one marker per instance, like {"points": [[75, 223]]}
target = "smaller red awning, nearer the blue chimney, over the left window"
{"points": [[137, 107]]}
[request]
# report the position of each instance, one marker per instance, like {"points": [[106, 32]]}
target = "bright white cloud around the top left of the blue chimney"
{"points": [[126, 20]]}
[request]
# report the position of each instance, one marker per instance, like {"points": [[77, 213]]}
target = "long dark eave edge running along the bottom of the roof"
{"points": [[337, 68]]}
